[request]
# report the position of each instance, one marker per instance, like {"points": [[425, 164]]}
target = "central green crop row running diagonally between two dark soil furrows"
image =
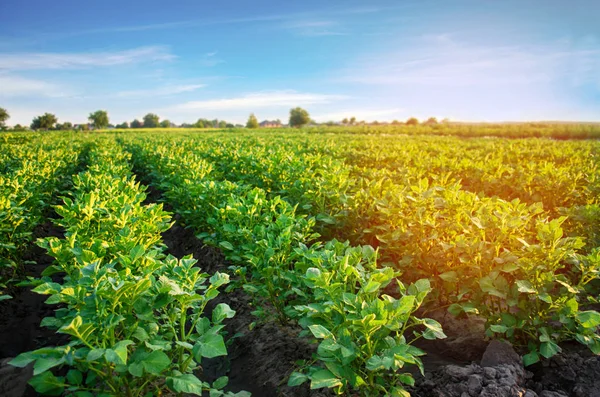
{"points": [[361, 314]]}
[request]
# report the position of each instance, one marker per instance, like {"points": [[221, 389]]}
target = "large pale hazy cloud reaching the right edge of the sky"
{"points": [[440, 60]]}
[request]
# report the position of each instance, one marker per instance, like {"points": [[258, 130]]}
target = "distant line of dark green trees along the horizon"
{"points": [[99, 120]]}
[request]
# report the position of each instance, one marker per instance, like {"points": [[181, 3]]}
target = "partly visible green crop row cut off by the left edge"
{"points": [[31, 175]]}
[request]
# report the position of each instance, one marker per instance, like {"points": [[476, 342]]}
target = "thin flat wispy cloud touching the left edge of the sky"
{"points": [[46, 60]]}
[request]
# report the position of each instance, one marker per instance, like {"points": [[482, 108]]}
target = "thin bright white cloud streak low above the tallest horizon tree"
{"points": [[256, 100]]}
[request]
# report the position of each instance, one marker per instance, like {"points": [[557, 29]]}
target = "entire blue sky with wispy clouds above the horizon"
{"points": [[471, 60]]}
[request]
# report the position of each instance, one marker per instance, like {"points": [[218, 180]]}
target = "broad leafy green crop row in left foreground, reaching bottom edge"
{"points": [[135, 317]]}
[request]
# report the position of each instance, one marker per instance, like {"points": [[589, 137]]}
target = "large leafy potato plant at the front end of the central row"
{"points": [[365, 334]]}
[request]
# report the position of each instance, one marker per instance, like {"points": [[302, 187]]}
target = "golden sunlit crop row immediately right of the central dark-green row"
{"points": [[504, 260]]}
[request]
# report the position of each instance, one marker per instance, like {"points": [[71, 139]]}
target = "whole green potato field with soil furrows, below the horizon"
{"points": [[356, 262]]}
